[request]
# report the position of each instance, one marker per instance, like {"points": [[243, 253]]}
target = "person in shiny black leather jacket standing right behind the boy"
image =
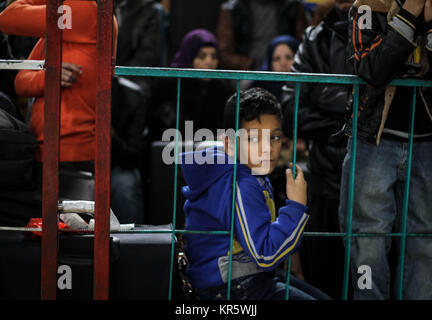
{"points": [[321, 114]]}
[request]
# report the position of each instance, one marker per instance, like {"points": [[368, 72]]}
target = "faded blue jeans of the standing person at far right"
{"points": [[377, 208]]}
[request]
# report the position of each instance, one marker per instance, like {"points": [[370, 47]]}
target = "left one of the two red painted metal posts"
{"points": [[51, 152]]}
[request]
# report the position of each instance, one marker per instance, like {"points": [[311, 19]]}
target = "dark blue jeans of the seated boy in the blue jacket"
{"points": [[262, 286]]}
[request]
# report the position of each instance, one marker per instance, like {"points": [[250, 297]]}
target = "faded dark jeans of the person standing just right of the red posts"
{"points": [[127, 199]]}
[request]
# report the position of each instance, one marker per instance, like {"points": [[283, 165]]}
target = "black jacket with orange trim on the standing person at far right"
{"points": [[380, 55]]}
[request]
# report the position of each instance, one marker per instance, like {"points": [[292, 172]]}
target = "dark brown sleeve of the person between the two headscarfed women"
{"points": [[230, 59]]}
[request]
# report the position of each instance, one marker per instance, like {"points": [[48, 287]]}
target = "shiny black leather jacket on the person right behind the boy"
{"points": [[322, 107]]}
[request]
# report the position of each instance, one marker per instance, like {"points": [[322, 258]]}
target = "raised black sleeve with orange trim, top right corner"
{"points": [[379, 52]]}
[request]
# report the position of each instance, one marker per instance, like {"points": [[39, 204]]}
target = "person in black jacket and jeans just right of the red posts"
{"points": [[140, 43]]}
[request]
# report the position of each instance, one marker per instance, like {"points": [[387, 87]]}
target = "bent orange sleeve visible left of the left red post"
{"points": [[31, 83]]}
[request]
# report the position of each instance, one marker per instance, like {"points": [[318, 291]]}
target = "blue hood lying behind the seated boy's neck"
{"points": [[201, 169]]}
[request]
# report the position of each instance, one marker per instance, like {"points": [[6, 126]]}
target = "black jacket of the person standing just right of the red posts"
{"points": [[139, 44]]}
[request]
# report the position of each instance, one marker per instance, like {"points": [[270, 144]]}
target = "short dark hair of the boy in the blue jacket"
{"points": [[254, 103]]}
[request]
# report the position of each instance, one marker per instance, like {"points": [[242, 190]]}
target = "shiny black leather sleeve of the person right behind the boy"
{"points": [[321, 106]]}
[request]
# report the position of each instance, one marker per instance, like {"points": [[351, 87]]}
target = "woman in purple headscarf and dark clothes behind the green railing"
{"points": [[201, 100]]}
